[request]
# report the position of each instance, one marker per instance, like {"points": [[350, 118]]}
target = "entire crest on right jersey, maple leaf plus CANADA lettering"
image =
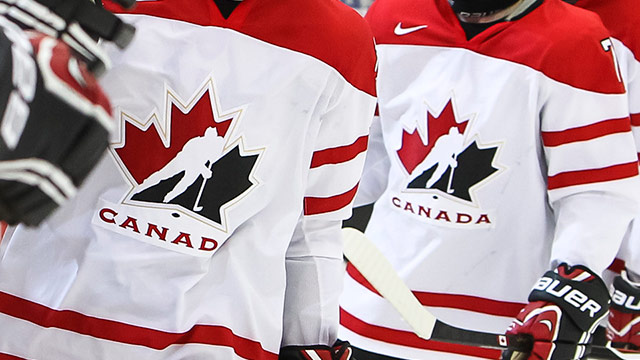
{"points": [[444, 163]]}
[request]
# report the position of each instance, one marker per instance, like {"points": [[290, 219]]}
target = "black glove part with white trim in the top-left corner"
{"points": [[79, 23]]}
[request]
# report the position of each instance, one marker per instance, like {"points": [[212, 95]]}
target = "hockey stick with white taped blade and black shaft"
{"points": [[379, 272]]}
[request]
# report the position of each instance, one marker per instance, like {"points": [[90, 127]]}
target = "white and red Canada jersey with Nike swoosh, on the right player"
{"points": [[492, 158]]}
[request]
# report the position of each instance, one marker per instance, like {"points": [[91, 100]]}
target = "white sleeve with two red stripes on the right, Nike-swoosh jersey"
{"points": [[592, 166]]}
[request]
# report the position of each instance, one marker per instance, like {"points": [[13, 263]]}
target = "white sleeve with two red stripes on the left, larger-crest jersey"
{"points": [[314, 258]]}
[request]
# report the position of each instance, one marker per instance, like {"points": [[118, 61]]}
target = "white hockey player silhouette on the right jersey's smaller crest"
{"points": [[443, 154]]}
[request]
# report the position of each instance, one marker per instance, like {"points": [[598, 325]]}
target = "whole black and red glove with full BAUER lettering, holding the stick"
{"points": [[565, 307]]}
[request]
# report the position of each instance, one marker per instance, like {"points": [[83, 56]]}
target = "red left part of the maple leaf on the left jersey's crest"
{"points": [[143, 152]]}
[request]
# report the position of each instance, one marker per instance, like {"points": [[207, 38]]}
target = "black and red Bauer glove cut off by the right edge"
{"points": [[623, 328]]}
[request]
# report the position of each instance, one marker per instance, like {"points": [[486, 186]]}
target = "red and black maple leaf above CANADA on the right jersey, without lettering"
{"points": [[445, 162]]}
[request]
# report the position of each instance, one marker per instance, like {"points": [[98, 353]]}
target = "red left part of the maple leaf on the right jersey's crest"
{"points": [[413, 150]]}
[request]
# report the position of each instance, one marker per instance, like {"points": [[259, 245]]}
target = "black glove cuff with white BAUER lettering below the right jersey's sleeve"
{"points": [[580, 293]]}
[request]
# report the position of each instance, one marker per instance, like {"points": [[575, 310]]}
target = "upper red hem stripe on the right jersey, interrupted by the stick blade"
{"points": [[453, 301]]}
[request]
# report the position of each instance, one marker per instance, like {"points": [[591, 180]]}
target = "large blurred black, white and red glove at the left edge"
{"points": [[54, 127]]}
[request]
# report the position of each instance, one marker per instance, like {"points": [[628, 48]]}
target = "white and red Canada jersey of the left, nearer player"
{"points": [[240, 146]]}
